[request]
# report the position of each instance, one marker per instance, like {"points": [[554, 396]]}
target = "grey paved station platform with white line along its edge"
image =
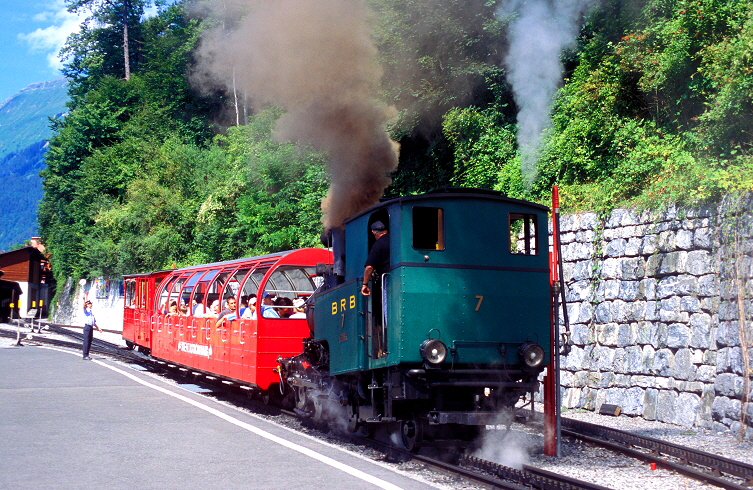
{"points": [[68, 423]]}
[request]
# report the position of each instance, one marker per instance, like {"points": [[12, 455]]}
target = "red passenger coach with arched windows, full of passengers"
{"points": [[170, 314]]}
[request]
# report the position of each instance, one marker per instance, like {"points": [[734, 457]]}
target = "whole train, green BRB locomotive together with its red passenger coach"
{"points": [[456, 333]]}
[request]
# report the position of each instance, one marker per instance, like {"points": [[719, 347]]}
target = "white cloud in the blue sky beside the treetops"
{"points": [[51, 39]]}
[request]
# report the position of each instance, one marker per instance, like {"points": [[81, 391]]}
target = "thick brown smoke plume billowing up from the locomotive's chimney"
{"points": [[317, 60]]}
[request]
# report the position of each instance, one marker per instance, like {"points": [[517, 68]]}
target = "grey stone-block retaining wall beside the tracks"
{"points": [[653, 303]]}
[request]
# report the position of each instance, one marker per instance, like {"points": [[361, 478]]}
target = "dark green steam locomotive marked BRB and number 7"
{"points": [[455, 328]]}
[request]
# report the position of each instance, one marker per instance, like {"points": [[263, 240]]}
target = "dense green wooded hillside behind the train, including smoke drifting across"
{"points": [[220, 128]]}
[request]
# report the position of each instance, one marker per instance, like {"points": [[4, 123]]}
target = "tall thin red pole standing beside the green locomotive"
{"points": [[551, 380]]}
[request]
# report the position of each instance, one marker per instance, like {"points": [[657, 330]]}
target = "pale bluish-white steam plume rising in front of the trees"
{"points": [[541, 30]]}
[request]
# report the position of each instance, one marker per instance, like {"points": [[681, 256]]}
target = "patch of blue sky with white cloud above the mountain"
{"points": [[31, 35]]}
